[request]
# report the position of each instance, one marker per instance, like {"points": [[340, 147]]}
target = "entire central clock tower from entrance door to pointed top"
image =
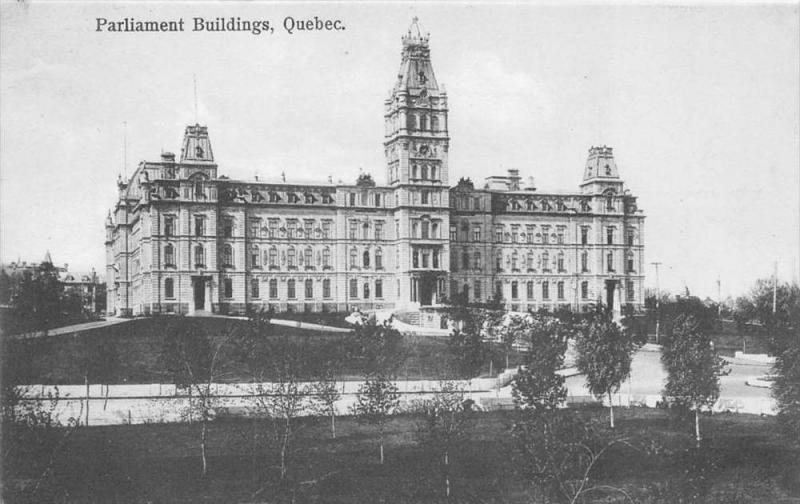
{"points": [[416, 145]]}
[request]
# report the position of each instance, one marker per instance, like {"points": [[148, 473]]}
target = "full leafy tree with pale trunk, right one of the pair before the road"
{"points": [[693, 367]]}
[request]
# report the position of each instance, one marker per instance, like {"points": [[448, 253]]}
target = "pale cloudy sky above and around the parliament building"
{"points": [[701, 104]]}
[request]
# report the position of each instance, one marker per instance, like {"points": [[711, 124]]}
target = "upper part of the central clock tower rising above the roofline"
{"points": [[416, 138]]}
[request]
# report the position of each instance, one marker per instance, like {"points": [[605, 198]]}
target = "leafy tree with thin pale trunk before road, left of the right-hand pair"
{"points": [[605, 353]]}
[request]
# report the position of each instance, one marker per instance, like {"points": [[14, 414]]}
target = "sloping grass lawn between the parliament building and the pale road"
{"points": [[131, 353]]}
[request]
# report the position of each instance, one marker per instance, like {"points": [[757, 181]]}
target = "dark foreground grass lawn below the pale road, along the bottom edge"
{"points": [[745, 460]]}
